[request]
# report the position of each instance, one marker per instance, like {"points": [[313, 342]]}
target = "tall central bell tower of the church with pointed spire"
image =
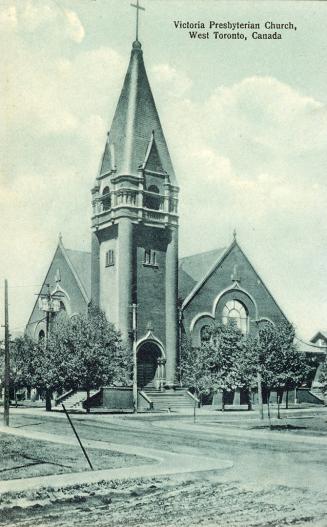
{"points": [[135, 225]]}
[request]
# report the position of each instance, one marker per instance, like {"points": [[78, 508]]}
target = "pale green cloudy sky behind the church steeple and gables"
{"points": [[245, 123]]}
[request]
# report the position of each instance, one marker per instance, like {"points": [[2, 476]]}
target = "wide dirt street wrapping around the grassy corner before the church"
{"points": [[273, 479]]}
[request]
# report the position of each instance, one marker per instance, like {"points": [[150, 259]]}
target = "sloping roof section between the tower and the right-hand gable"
{"points": [[193, 268]]}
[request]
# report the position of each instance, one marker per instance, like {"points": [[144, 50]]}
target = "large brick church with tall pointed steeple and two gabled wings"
{"points": [[133, 272]]}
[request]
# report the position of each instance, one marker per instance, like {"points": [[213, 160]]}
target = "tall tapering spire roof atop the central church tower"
{"points": [[135, 124]]}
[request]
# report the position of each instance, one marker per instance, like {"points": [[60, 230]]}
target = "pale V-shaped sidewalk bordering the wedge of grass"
{"points": [[167, 464]]}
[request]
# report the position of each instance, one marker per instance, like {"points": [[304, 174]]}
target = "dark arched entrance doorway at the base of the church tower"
{"points": [[147, 363]]}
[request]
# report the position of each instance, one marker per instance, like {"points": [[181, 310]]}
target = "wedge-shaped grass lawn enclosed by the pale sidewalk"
{"points": [[21, 458]]}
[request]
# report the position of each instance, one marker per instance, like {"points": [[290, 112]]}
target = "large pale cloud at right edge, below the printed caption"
{"points": [[269, 115]]}
